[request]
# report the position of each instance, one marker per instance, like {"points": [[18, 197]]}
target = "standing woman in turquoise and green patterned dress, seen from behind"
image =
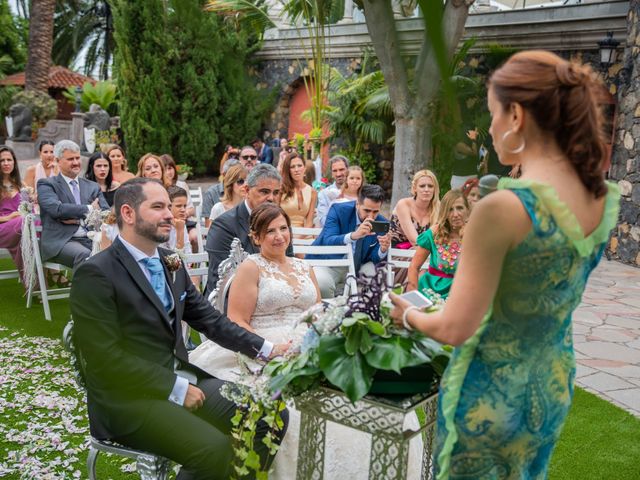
{"points": [[529, 250]]}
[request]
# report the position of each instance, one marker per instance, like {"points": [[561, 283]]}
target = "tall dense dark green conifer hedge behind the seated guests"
{"points": [[182, 80]]}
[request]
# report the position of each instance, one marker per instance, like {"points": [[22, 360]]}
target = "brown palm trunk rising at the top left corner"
{"points": [[40, 44]]}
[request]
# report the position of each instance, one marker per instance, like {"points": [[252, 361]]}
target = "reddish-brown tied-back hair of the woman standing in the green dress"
{"points": [[562, 98]]}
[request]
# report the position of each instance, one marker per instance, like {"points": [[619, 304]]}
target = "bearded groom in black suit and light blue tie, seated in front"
{"points": [[127, 303]]}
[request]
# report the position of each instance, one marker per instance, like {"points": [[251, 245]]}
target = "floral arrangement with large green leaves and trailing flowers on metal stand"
{"points": [[348, 341]]}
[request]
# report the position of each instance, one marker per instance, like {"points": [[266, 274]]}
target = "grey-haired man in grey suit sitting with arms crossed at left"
{"points": [[64, 202]]}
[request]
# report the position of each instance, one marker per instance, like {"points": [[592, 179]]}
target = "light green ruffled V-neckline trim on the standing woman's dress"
{"points": [[564, 217]]}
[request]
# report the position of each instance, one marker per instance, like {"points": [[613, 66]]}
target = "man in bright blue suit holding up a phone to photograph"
{"points": [[350, 223]]}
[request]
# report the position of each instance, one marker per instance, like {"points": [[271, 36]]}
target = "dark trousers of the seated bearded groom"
{"points": [[198, 441]]}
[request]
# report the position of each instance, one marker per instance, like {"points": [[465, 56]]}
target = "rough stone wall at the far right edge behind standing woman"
{"points": [[625, 242]]}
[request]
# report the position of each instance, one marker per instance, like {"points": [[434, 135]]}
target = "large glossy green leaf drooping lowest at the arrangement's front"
{"points": [[350, 373]]}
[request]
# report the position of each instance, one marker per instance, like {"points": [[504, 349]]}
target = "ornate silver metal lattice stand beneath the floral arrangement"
{"points": [[383, 418]]}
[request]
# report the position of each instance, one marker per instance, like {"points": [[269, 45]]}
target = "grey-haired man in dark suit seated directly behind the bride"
{"points": [[262, 185]]}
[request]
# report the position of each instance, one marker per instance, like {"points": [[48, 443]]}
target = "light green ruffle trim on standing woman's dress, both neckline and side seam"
{"points": [[568, 223]]}
